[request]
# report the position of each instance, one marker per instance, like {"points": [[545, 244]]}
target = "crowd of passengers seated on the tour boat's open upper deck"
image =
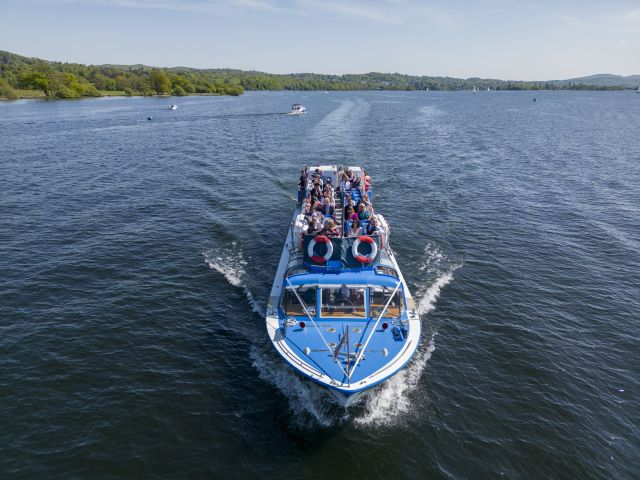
{"points": [[319, 205]]}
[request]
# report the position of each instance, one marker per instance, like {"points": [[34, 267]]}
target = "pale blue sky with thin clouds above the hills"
{"points": [[508, 40]]}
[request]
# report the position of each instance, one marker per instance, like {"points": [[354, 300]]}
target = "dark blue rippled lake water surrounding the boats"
{"points": [[136, 258]]}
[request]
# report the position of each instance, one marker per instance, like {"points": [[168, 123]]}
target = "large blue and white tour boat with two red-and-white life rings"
{"points": [[340, 312]]}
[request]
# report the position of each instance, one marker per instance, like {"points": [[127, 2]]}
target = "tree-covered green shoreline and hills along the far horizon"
{"points": [[21, 75]]}
